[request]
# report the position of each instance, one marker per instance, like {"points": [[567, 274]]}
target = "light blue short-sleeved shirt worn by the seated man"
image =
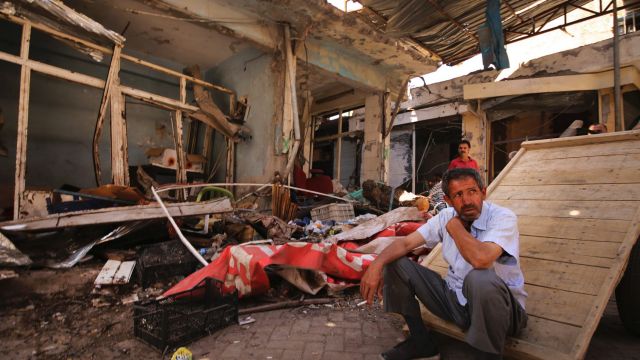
{"points": [[496, 224]]}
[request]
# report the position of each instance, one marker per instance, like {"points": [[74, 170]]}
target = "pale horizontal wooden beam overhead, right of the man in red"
{"points": [[581, 82]]}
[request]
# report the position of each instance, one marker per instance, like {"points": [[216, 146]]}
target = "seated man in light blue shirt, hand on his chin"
{"points": [[483, 292]]}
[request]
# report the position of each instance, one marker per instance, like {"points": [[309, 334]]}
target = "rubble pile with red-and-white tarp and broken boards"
{"points": [[298, 249]]}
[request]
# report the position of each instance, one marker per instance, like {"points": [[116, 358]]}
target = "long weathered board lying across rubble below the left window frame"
{"points": [[118, 214]]}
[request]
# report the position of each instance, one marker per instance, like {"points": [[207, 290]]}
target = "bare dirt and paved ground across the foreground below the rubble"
{"points": [[47, 314]]}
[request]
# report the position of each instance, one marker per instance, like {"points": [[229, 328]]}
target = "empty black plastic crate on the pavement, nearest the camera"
{"points": [[185, 317]]}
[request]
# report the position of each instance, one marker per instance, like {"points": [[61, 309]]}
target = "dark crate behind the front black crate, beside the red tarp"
{"points": [[161, 261]]}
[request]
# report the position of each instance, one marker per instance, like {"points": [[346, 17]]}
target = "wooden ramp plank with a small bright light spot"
{"points": [[584, 209]]}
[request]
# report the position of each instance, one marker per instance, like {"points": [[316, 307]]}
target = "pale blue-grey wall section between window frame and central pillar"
{"points": [[256, 75]]}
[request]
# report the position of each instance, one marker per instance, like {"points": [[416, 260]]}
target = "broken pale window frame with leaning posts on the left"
{"points": [[114, 92]]}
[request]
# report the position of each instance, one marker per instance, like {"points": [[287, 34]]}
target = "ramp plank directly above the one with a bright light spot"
{"points": [[599, 192]]}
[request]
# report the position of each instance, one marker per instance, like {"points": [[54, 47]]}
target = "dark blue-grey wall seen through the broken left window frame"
{"points": [[62, 115]]}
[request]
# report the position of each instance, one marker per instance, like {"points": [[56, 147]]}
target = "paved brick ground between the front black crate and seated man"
{"points": [[361, 334]]}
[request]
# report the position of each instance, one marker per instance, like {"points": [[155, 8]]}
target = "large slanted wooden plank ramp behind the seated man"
{"points": [[578, 206]]}
